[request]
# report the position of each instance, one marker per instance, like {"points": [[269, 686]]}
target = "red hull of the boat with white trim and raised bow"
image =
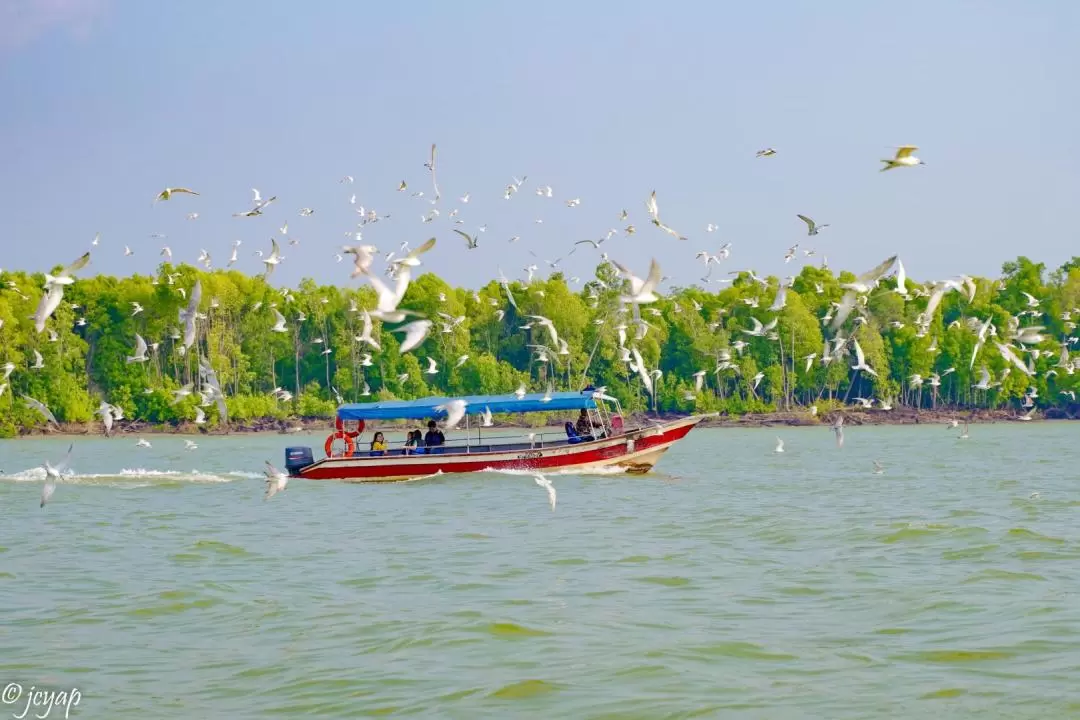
{"points": [[634, 452]]}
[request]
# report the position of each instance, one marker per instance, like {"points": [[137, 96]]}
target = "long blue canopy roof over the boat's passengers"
{"points": [[497, 404]]}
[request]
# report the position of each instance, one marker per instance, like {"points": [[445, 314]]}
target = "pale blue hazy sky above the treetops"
{"points": [[105, 103]]}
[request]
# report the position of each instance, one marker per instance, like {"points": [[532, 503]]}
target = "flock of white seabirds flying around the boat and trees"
{"points": [[640, 292]]}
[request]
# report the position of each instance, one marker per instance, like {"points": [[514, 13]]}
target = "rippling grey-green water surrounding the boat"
{"points": [[734, 583]]}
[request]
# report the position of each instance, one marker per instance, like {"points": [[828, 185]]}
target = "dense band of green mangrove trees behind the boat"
{"points": [[93, 332]]}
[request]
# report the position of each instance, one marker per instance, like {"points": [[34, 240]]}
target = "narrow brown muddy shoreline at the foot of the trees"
{"points": [[787, 419]]}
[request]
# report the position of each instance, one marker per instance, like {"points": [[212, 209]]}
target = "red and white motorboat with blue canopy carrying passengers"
{"points": [[610, 444]]}
